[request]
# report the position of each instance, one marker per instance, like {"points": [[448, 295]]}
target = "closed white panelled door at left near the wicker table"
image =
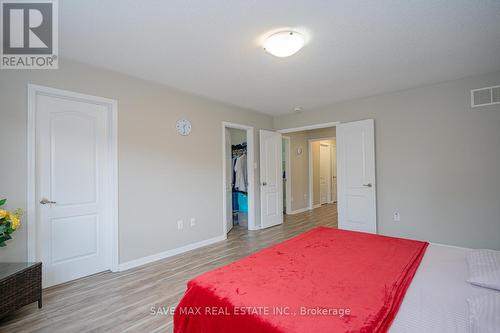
{"points": [[73, 213]]}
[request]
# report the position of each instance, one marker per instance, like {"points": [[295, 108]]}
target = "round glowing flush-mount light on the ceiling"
{"points": [[284, 43]]}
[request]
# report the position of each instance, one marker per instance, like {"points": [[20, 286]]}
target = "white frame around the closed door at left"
{"points": [[111, 199]]}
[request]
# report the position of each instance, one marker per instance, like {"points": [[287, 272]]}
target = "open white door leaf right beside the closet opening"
{"points": [[271, 189]]}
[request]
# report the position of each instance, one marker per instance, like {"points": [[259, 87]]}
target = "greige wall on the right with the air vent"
{"points": [[437, 160]]}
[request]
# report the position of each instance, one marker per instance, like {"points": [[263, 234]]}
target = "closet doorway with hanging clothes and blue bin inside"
{"points": [[238, 177]]}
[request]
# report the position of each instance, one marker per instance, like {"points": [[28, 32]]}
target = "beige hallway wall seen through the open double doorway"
{"points": [[299, 164]]}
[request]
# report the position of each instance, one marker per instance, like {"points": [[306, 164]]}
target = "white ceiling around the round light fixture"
{"points": [[355, 48]]}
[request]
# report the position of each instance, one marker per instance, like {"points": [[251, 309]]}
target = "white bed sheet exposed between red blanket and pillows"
{"points": [[436, 301]]}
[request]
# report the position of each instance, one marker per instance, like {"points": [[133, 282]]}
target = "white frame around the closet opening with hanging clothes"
{"points": [[250, 170]]}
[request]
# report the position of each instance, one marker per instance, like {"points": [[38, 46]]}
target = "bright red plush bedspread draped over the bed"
{"points": [[324, 280]]}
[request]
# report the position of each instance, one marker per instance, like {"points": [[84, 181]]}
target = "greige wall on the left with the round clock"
{"points": [[163, 177]]}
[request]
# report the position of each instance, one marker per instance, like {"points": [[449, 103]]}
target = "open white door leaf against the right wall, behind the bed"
{"points": [[356, 176]]}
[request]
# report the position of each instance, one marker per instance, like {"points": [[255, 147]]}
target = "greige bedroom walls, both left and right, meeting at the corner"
{"points": [[438, 161]]}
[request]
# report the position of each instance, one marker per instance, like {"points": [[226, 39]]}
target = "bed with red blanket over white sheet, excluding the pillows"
{"points": [[385, 284]]}
